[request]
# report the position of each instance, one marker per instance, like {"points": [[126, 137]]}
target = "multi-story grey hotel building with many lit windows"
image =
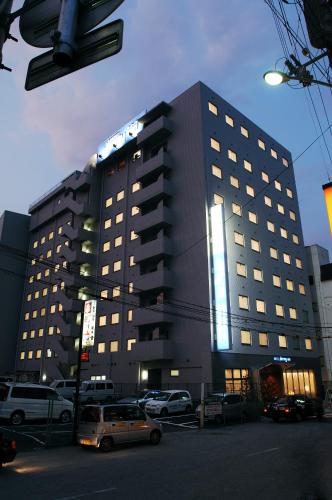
{"points": [[186, 226]]}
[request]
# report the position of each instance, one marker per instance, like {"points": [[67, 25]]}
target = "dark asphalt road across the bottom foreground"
{"points": [[254, 461]]}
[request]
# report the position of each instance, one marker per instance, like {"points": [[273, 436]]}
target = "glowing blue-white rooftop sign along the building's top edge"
{"points": [[120, 138]]}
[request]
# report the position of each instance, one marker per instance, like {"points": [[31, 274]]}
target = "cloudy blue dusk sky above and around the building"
{"points": [[168, 46]]}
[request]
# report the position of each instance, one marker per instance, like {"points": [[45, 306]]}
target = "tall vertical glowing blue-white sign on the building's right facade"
{"points": [[219, 278]]}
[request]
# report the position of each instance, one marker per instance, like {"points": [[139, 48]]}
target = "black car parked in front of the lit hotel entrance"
{"points": [[296, 407]]}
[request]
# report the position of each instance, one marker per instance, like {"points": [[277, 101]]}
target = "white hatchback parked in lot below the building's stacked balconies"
{"points": [[168, 402]]}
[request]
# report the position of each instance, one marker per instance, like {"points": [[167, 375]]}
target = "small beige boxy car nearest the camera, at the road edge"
{"points": [[103, 426]]}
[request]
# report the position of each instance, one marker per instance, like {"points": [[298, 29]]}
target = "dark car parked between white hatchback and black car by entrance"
{"points": [[223, 406]]}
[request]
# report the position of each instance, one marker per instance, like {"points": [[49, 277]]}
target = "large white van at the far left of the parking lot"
{"points": [[20, 402]]}
